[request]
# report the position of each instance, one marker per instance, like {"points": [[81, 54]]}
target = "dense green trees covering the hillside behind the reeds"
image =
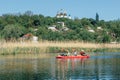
{"points": [[15, 26]]}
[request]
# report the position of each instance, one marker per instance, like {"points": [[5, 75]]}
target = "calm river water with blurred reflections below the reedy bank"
{"points": [[100, 66]]}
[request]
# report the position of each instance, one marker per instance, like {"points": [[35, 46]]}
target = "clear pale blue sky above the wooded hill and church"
{"points": [[107, 9]]}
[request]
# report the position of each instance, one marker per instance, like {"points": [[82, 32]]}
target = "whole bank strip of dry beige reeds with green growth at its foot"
{"points": [[13, 48]]}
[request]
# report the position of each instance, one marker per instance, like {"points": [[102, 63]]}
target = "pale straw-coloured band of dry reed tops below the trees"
{"points": [[58, 44]]}
